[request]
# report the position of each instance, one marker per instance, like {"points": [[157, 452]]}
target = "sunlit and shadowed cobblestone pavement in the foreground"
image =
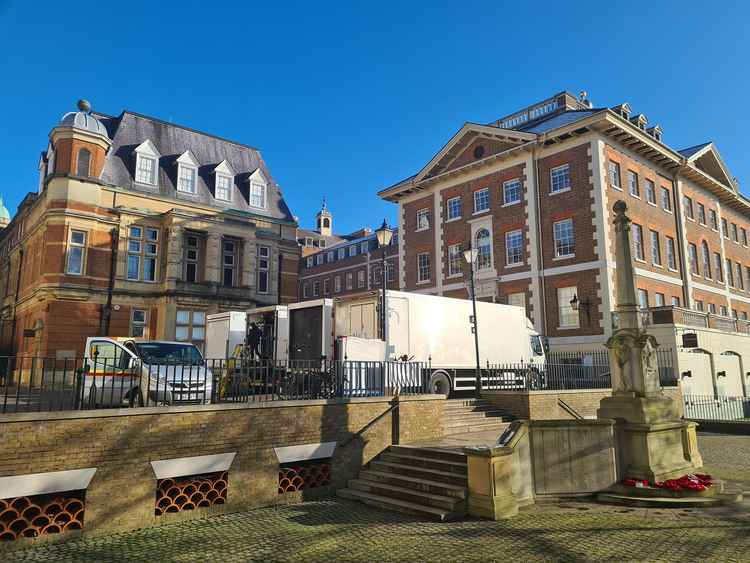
{"points": [[340, 530]]}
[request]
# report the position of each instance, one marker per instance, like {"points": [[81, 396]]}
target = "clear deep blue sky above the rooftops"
{"points": [[346, 98]]}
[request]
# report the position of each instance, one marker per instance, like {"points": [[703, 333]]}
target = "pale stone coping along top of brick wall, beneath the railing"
{"points": [[149, 411]]}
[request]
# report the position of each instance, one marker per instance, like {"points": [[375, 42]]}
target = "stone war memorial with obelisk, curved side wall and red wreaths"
{"points": [[637, 451]]}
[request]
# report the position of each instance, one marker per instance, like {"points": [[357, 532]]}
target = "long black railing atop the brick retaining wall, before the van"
{"points": [[46, 384]]}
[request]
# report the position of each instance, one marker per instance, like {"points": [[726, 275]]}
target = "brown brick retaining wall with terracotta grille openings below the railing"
{"points": [[122, 443]]}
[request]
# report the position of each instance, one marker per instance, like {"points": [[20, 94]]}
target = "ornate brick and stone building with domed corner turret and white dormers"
{"points": [[140, 227]]}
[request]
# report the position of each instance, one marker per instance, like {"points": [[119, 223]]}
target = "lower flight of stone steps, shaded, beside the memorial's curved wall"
{"points": [[428, 482]]}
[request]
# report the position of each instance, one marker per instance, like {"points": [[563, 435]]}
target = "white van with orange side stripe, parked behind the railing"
{"points": [[135, 372]]}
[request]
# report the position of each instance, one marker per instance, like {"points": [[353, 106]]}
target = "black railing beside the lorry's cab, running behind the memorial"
{"points": [[567, 371]]}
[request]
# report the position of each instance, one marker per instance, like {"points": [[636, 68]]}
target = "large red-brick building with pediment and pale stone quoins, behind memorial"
{"points": [[533, 192]]}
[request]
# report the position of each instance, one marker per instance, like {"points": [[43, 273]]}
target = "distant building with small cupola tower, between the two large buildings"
{"points": [[339, 265]]}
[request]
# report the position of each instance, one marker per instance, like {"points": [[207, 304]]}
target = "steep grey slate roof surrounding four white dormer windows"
{"points": [[129, 130]]}
